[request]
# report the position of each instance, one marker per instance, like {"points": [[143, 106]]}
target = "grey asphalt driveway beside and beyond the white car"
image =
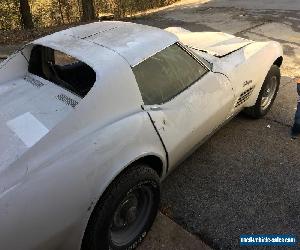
{"points": [[246, 178]]}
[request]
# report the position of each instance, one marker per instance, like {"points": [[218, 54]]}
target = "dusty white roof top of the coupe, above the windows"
{"points": [[134, 42]]}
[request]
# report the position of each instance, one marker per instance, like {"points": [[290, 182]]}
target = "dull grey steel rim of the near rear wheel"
{"points": [[131, 215]]}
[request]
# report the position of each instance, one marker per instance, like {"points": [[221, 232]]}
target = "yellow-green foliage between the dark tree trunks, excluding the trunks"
{"points": [[48, 13]]}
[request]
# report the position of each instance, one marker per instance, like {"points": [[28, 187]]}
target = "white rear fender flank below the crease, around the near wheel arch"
{"points": [[57, 199]]}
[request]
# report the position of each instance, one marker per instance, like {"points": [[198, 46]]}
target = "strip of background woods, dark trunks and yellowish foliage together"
{"points": [[24, 14]]}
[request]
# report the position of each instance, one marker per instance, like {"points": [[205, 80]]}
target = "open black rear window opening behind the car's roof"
{"points": [[62, 69]]}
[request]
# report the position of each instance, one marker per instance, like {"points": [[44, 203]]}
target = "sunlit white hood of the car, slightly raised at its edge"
{"points": [[215, 43]]}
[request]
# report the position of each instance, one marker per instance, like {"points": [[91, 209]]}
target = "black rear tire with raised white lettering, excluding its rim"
{"points": [[98, 236]]}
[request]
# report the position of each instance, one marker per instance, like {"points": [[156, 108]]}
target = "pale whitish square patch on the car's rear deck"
{"points": [[28, 128]]}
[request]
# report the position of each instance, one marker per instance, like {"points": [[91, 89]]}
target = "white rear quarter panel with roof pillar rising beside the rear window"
{"points": [[48, 193]]}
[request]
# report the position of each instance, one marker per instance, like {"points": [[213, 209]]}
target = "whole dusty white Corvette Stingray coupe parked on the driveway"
{"points": [[93, 118]]}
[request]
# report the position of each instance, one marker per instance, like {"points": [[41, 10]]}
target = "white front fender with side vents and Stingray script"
{"points": [[249, 66]]}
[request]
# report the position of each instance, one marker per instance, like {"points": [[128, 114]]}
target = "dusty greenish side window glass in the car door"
{"points": [[166, 74]]}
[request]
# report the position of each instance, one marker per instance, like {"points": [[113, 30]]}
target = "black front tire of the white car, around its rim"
{"points": [[258, 110]]}
